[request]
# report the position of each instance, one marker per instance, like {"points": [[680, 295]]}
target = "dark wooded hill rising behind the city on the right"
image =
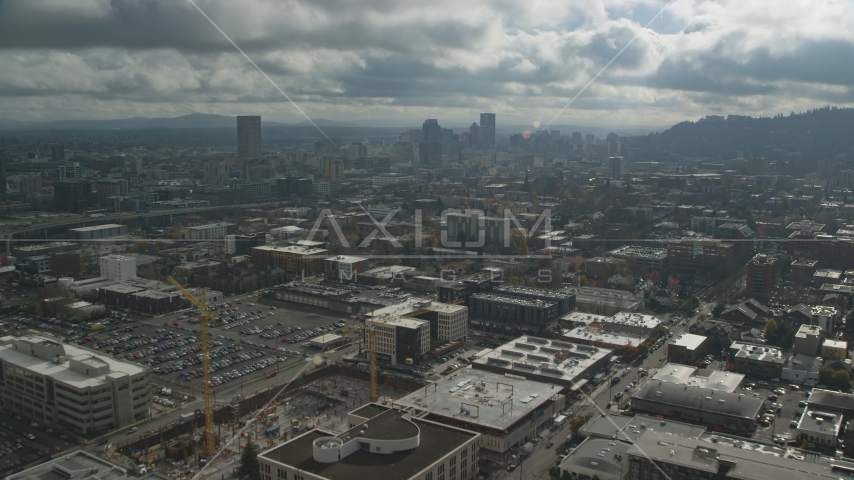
{"points": [[814, 133]]}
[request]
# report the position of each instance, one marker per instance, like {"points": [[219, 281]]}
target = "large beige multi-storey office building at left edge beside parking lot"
{"points": [[71, 387]]}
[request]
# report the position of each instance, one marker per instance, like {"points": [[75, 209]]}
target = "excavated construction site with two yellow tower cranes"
{"points": [[211, 437]]}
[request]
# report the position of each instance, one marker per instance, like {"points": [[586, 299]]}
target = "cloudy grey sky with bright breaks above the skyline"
{"points": [[409, 60]]}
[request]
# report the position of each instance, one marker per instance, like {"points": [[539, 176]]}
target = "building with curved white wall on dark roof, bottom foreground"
{"points": [[382, 443]]}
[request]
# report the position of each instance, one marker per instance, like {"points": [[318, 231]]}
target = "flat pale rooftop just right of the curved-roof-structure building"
{"points": [[482, 398]]}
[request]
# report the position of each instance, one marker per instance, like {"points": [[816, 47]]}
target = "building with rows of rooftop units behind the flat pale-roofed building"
{"points": [[548, 361]]}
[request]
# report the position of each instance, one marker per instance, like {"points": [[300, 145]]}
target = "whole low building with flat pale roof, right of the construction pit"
{"points": [[457, 400]]}
